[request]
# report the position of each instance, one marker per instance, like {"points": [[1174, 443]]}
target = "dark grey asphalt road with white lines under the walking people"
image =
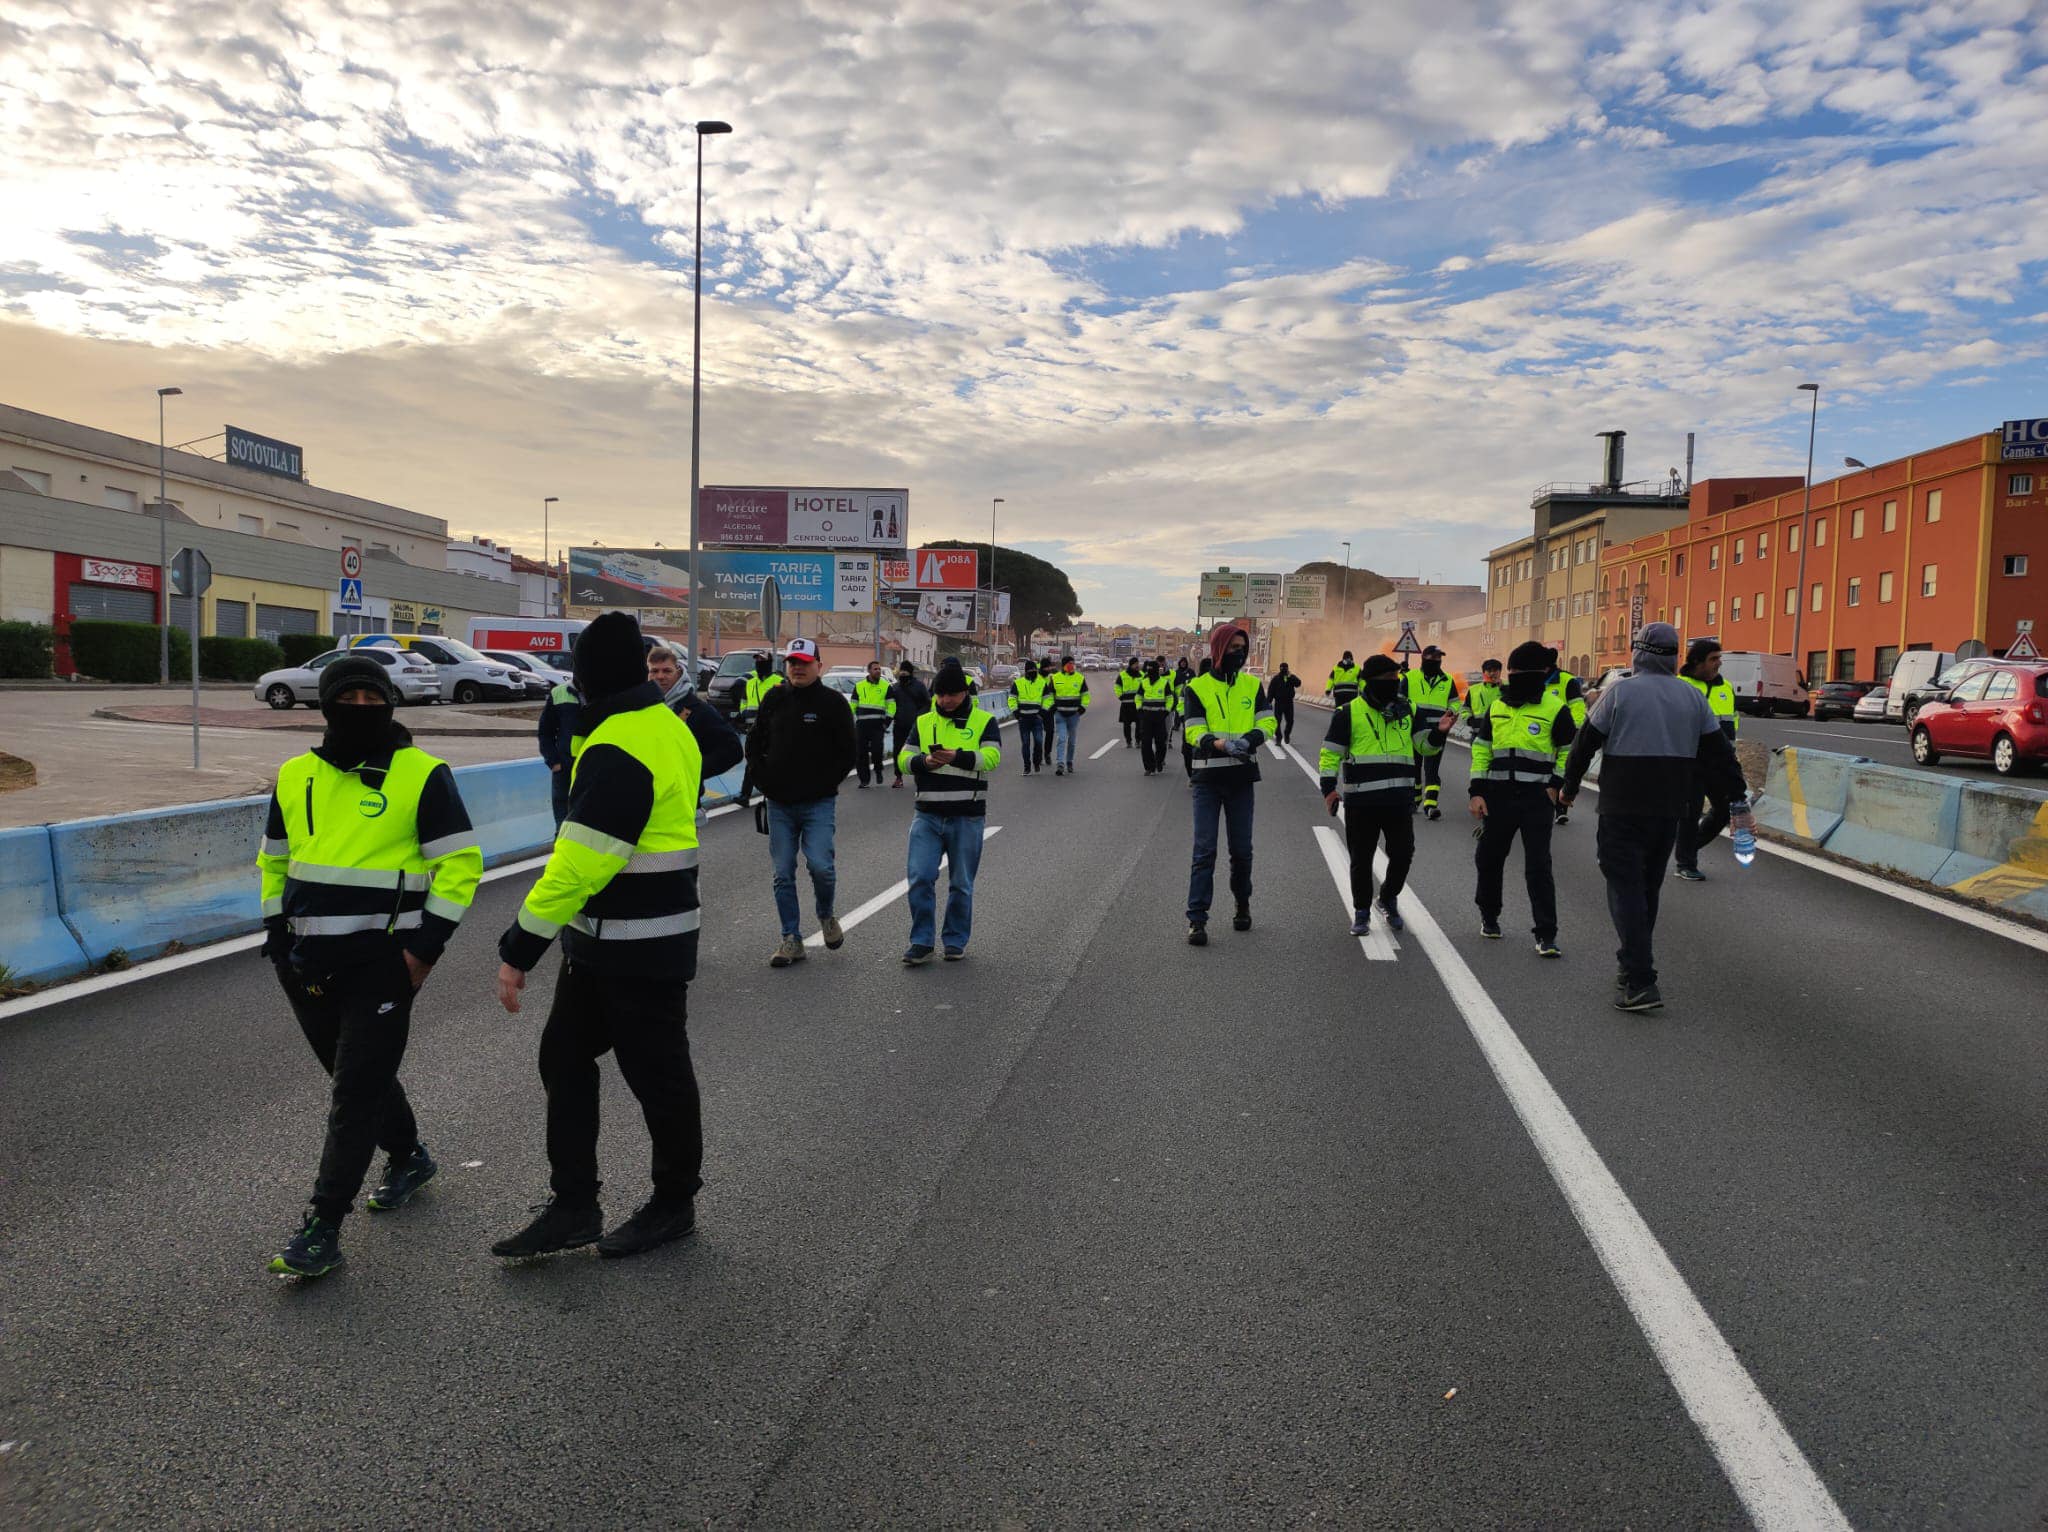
{"points": [[1091, 1228]]}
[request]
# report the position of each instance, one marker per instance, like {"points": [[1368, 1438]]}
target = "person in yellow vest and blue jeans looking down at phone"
{"points": [[955, 753]]}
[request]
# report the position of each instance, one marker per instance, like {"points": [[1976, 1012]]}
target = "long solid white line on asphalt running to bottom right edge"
{"points": [[1764, 1465]]}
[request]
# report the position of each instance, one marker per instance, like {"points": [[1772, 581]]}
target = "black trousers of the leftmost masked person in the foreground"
{"points": [[357, 1021]]}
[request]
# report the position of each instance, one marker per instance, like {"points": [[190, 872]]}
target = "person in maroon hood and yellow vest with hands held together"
{"points": [[1228, 722]]}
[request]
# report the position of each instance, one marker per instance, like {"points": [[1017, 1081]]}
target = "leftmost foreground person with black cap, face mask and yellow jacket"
{"points": [[368, 869]]}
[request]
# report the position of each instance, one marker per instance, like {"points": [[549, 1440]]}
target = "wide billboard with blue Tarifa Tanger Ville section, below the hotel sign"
{"points": [[730, 583]]}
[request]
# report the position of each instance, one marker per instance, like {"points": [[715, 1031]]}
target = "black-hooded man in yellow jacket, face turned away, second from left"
{"points": [[622, 892]]}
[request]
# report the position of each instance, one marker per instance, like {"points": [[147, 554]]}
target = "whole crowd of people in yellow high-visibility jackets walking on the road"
{"points": [[370, 859]]}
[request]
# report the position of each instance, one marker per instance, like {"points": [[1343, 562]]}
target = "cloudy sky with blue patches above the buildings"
{"points": [[1185, 282]]}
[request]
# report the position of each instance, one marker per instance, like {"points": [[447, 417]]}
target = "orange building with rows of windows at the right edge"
{"points": [[1918, 554]]}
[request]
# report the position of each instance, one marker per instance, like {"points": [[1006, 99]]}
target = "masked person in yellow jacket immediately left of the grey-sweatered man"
{"points": [[1517, 753]]}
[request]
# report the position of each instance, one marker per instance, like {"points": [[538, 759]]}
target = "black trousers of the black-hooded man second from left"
{"points": [[644, 1025]]}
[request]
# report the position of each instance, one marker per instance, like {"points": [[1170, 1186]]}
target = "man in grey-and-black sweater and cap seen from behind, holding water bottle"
{"points": [[1658, 740]]}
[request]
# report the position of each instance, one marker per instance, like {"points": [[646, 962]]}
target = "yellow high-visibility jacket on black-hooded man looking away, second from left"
{"points": [[605, 896]]}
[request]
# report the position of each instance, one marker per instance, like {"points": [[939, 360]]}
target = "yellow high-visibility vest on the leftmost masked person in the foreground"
{"points": [[351, 857]]}
